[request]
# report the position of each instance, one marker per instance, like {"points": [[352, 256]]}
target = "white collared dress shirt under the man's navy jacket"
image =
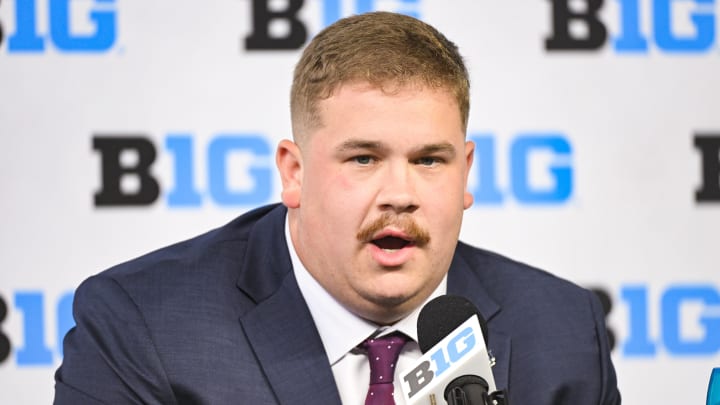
{"points": [[341, 331]]}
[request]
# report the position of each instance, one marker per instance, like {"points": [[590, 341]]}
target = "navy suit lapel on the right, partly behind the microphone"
{"points": [[464, 281]]}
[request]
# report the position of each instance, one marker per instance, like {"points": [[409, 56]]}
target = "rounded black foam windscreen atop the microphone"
{"points": [[441, 316]]}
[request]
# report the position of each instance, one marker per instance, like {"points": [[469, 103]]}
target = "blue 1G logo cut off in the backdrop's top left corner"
{"points": [[63, 32]]}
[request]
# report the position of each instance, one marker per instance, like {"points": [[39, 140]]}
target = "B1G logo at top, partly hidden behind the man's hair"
{"points": [[276, 28]]}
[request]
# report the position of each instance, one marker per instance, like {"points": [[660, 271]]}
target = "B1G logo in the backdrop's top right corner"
{"points": [[677, 26]]}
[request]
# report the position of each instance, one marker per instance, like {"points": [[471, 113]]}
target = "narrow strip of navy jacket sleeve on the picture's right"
{"points": [[609, 393]]}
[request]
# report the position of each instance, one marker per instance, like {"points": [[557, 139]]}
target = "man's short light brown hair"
{"points": [[384, 49]]}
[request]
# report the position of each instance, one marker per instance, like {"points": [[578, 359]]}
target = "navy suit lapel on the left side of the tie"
{"points": [[280, 328]]}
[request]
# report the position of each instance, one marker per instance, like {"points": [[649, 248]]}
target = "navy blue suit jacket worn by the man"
{"points": [[219, 319]]}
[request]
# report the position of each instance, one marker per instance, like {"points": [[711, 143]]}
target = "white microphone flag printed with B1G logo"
{"points": [[461, 352]]}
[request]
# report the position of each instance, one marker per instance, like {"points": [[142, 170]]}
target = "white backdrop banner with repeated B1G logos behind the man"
{"points": [[129, 125]]}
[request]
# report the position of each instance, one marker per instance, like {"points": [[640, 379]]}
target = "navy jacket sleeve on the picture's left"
{"points": [[109, 356]]}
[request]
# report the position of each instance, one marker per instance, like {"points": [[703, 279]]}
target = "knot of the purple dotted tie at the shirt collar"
{"points": [[383, 354]]}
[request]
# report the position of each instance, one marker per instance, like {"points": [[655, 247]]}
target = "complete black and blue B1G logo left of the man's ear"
{"points": [[238, 170]]}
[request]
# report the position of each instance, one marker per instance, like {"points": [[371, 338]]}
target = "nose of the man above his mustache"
{"points": [[398, 191]]}
